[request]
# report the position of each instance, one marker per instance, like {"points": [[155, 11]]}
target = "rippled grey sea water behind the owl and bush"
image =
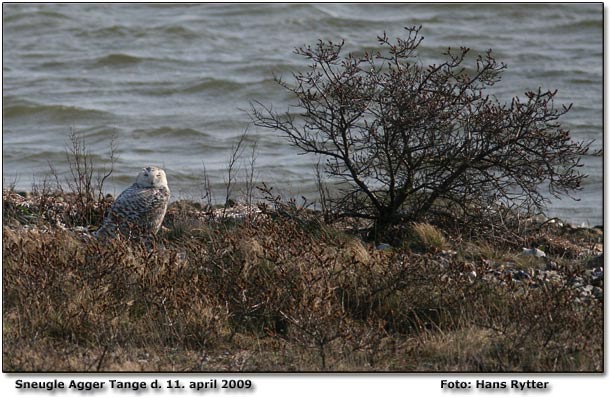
{"points": [[172, 81]]}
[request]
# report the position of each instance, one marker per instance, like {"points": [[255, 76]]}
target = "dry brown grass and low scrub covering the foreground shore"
{"points": [[276, 294]]}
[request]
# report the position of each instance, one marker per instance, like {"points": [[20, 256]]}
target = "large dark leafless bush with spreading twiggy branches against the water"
{"points": [[412, 141]]}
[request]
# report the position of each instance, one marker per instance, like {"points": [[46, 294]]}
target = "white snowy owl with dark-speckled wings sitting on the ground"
{"points": [[139, 210]]}
